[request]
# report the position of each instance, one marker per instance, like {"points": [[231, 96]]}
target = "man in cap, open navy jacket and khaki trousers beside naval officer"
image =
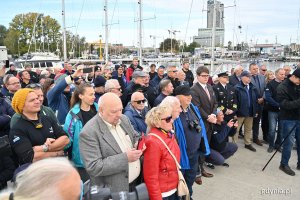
{"points": [[247, 107]]}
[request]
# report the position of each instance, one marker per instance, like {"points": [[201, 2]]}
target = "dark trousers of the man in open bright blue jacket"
{"points": [[190, 174]]}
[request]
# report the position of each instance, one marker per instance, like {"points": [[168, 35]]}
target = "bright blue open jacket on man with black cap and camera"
{"points": [[184, 160]]}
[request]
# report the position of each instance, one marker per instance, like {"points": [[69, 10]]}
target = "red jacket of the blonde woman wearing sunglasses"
{"points": [[160, 172]]}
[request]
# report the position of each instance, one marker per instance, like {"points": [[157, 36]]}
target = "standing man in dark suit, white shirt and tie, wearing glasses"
{"points": [[204, 98]]}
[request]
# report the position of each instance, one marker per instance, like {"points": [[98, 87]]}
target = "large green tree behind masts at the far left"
{"points": [[32, 31]]}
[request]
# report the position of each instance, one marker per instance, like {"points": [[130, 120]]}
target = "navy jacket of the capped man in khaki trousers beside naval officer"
{"points": [[243, 109]]}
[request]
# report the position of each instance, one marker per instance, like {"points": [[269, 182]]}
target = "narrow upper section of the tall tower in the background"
{"points": [[219, 14]]}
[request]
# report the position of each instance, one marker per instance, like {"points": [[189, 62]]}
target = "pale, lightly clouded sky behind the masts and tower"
{"points": [[262, 21]]}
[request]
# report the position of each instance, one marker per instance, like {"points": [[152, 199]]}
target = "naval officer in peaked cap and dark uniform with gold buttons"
{"points": [[225, 96]]}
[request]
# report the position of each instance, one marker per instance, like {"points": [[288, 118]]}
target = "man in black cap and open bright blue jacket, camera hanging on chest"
{"points": [[189, 130]]}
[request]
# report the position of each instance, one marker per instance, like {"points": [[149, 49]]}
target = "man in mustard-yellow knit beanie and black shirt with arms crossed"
{"points": [[34, 136]]}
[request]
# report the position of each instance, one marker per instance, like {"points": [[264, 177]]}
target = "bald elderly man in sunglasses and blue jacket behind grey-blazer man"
{"points": [[136, 112]]}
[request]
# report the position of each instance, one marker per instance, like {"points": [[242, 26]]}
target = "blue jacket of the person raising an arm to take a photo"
{"points": [[58, 101]]}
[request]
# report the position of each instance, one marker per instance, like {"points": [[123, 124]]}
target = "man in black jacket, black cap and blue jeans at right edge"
{"points": [[288, 96]]}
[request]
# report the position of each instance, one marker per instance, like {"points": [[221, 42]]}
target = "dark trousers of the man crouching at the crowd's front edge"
{"points": [[218, 158]]}
